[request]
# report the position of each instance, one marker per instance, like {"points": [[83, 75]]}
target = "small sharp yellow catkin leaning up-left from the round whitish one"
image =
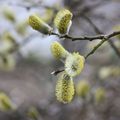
{"points": [[58, 51]]}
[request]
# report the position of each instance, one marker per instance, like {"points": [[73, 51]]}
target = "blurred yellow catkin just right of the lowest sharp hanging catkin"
{"points": [[82, 88]]}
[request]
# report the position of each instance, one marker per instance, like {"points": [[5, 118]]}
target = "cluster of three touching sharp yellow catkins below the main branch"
{"points": [[73, 65]]}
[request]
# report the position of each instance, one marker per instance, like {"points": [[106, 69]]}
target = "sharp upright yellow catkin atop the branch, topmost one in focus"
{"points": [[63, 21]]}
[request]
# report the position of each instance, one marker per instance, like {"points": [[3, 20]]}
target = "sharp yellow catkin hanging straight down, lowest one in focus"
{"points": [[65, 88]]}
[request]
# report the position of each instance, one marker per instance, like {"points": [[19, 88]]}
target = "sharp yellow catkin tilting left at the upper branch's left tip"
{"points": [[38, 24]]}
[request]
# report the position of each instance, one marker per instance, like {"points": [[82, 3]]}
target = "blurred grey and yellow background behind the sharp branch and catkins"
{"points": [[26, 82]]}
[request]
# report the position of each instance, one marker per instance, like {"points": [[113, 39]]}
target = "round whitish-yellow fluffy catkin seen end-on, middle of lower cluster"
{"points": [[74, 64]]}
